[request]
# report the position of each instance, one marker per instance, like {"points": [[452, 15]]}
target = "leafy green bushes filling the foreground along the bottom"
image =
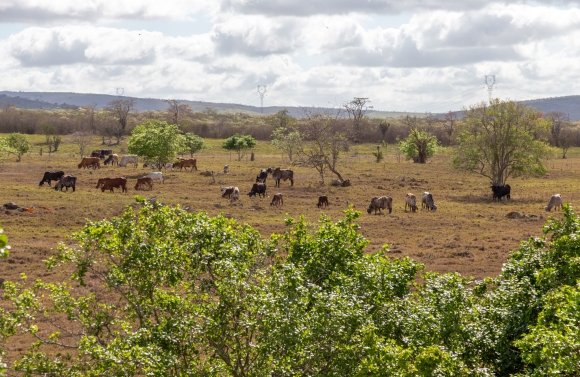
{"points": [[163, 292]]}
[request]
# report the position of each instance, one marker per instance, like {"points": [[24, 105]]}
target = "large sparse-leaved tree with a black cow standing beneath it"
{"points": [[497, 140]]}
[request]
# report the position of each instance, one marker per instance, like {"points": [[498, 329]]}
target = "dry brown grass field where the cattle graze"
{"points": [[468, 233]]}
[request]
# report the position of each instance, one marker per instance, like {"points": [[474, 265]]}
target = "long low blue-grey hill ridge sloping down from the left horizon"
{"points": [[51, 100]]}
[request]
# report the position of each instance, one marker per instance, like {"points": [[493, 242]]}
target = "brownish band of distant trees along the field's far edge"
{"points": [[118, 120]]}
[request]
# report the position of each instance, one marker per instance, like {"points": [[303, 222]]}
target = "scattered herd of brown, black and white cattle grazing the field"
{"points": [[233, 193]]}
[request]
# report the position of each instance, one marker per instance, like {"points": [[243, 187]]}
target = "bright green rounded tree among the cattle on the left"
{"points": [[156, 141]]}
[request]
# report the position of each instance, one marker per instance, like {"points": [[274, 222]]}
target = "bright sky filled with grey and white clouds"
{"points": [[411, 55]]}
